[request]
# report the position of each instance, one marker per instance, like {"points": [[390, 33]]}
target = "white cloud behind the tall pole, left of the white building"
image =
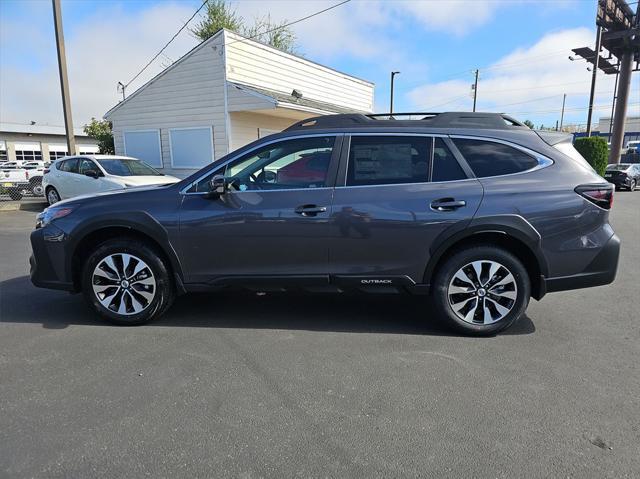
{"points": [[109, 46]]}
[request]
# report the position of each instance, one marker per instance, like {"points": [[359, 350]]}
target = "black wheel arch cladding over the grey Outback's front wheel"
{"points": [[148, 230]]}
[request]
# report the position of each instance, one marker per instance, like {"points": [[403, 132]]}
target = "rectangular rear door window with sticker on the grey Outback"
{"points": [[387, 160]]}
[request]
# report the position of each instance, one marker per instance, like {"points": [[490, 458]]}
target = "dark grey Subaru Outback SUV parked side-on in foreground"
{"points": [[475, 210]]}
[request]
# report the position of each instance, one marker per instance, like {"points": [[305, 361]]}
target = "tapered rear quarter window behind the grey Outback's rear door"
{"points": [[488, 158]]}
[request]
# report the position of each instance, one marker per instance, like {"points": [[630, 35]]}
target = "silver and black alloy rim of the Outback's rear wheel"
{"points": [[482, 292]]}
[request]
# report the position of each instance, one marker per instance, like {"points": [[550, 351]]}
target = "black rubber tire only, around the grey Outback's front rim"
{"points": [[163, 292]]}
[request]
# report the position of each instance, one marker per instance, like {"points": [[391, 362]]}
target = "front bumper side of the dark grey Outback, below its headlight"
{"points": [[48, 268]]}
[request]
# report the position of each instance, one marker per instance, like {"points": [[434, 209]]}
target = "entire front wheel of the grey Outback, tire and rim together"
{"points": [[126, 282]]}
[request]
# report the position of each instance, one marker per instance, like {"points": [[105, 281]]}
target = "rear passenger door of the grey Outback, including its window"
{"points": [[395, 195]]}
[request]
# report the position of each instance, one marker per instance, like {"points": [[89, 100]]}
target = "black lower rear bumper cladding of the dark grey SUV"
{"points": [[602, 270]]}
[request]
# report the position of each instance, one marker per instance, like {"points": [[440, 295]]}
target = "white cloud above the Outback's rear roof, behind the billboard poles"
{"points": [[529, 82]]}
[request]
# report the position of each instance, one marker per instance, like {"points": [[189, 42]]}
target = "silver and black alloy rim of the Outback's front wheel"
{"points": [[124, 284]]}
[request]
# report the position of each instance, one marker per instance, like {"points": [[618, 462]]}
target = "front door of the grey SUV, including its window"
{"points": [[270, 224]]}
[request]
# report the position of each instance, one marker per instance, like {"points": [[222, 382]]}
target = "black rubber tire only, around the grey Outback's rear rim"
{"points": [[445, 276]]}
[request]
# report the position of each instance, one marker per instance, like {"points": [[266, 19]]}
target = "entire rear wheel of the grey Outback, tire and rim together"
{"points": [[506, 299]]}
